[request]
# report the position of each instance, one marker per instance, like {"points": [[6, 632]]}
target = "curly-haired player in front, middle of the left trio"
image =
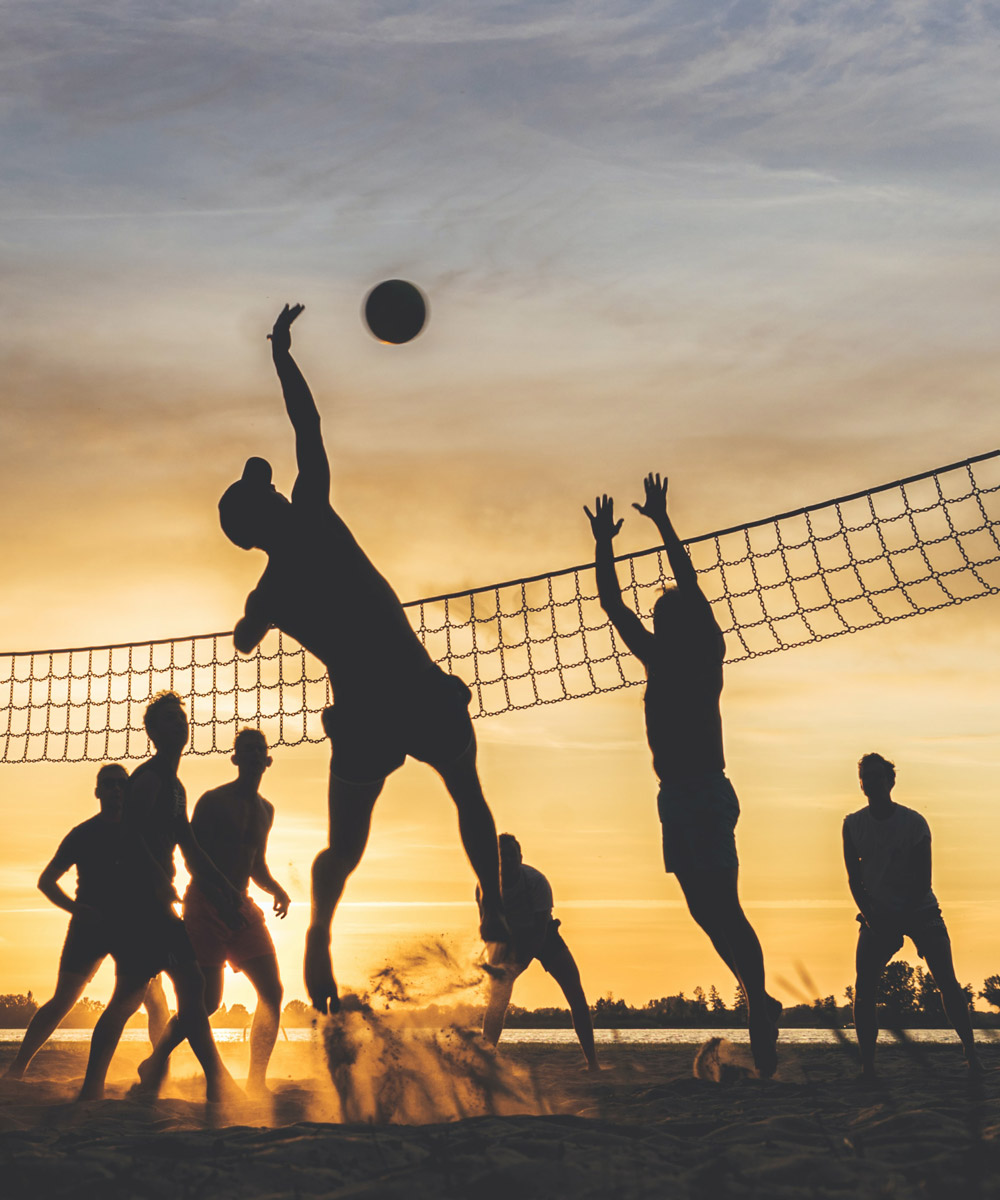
{"points": [[148, 935]]}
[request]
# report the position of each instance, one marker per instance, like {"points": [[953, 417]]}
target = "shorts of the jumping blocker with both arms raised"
{"points": [[699, 815]]}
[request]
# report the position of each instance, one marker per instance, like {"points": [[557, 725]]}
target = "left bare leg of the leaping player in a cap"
{"points": [[351, 808]]}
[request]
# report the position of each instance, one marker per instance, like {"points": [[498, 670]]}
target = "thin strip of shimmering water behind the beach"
{"points": [[567, 1037]]}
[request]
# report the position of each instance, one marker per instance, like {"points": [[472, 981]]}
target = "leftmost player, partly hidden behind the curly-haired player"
{"points": [[93, 848]]}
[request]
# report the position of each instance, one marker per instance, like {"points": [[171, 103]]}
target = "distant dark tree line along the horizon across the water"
{"points": [[908, 999]]}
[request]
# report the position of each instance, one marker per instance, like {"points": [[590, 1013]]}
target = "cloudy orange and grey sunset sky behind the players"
{"points": [[751, 245]]}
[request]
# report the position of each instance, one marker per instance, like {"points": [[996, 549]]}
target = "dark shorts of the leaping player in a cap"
{"points": [[426, 717]]}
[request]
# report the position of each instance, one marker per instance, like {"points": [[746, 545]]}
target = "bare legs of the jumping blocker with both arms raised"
{"points": [[714, 901]]}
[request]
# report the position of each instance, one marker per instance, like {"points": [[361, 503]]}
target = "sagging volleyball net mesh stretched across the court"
{"points": [[908, 548]]}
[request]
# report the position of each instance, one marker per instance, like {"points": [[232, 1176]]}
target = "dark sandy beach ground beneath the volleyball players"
{"points": [[645, 1127]]}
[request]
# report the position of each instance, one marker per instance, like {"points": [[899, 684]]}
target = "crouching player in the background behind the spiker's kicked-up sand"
{"points": [[528, 903]]}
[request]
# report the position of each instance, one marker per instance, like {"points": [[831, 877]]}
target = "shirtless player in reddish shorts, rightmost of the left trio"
{"points": [[232, 825]]}
